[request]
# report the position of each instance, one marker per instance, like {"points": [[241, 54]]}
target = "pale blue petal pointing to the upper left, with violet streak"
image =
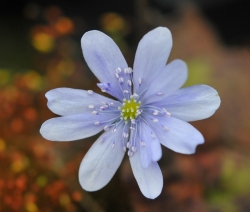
{"points": [[103, 58]]}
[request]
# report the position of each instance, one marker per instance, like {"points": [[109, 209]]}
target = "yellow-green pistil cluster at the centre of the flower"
{"points": [[130, 109]]}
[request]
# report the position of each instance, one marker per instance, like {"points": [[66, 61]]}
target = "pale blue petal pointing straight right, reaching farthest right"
{"points": [[192, 103]]}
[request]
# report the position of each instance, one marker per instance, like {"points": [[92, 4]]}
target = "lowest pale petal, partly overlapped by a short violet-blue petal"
{"points": [[150, 180]]}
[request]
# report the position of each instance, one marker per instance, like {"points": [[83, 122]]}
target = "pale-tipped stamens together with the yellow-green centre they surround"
{"points": [[130, 111]]}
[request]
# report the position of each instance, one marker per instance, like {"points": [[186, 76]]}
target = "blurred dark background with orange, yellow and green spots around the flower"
{"points": [[40, 50]]}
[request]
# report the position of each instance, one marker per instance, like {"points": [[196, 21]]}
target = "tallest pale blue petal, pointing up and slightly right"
{"points": [[151, 56]]}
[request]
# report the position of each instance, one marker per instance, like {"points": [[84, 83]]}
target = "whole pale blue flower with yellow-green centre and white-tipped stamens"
{"points": [[150, 110]]}
